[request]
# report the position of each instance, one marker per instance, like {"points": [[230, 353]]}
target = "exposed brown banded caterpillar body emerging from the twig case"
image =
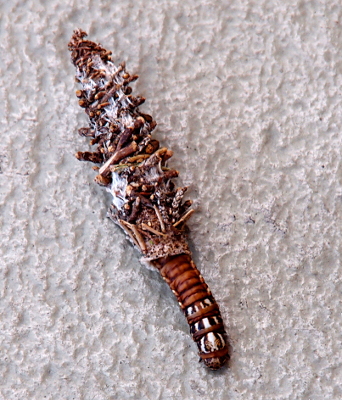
{"points": [[199, 306]]}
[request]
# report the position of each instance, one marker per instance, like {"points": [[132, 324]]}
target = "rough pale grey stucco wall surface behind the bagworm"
{"points": [[248, 95]]}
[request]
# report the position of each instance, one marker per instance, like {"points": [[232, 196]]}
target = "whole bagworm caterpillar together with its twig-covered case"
{"points": [[146, 203]]}
